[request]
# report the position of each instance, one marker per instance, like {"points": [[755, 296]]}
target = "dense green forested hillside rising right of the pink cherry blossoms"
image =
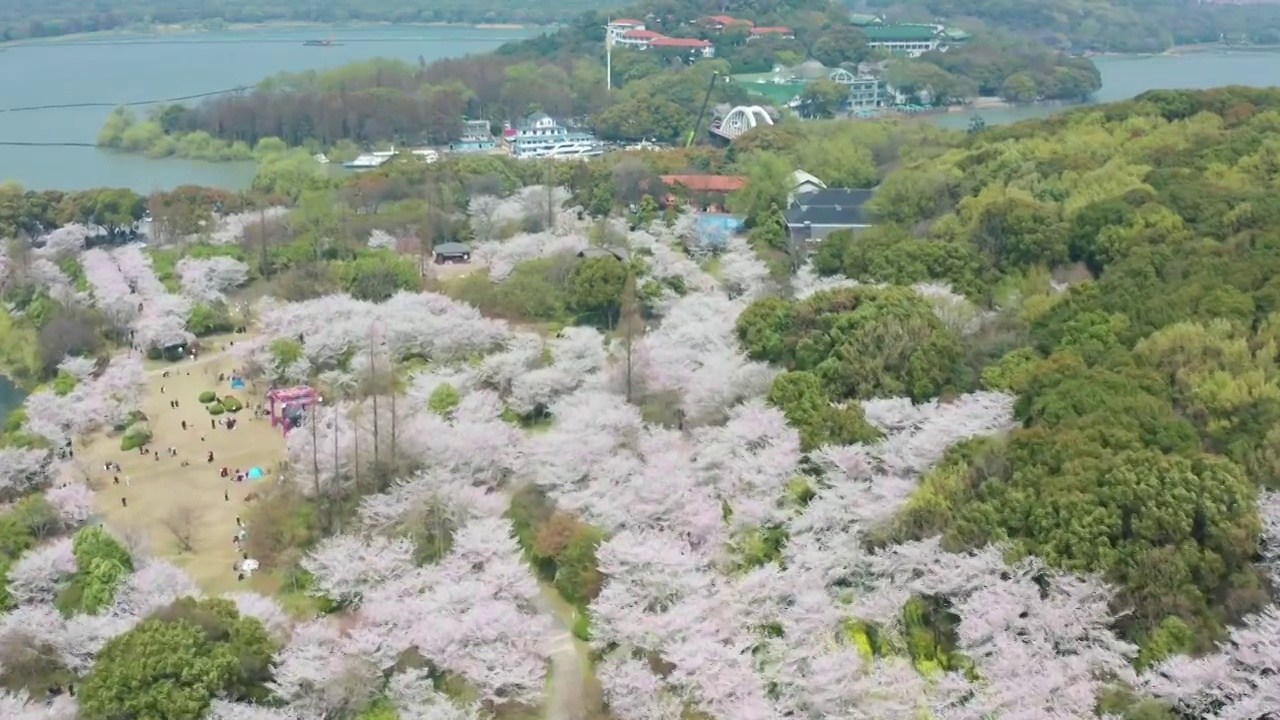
{"points": [[1148, 377]]}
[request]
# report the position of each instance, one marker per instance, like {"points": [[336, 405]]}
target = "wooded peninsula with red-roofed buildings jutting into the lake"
{"points": [[656, 93]]}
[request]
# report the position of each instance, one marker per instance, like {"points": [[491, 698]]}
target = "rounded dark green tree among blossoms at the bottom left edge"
{"points": [[175, 663]]}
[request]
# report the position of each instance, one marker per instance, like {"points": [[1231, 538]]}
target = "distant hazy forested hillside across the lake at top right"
{"points": [[1114, 26]]}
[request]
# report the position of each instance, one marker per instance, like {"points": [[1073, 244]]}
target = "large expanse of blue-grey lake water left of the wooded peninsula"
{"points": [[117, 69]]}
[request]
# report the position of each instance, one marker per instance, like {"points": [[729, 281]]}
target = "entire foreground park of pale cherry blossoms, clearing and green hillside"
{"points": [[1007, 450]]}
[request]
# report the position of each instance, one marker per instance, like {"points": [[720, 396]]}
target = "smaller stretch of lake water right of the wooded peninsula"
{"points": [[1127, 76]]}
